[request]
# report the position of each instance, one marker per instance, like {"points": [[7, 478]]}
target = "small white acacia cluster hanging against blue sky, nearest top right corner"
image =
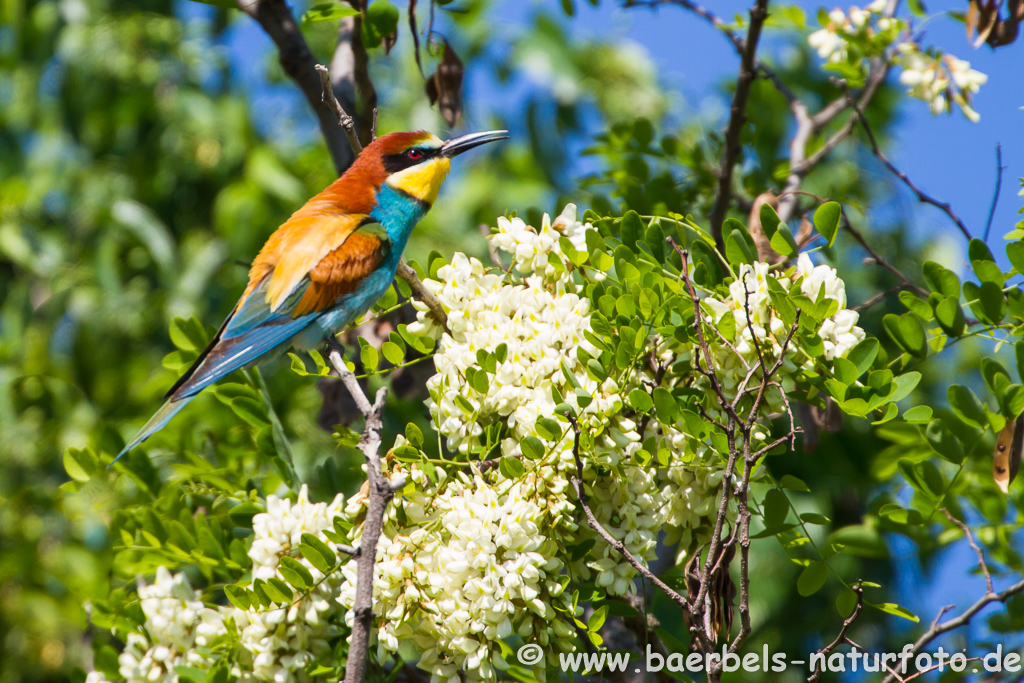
{"points": [[940, 80]]}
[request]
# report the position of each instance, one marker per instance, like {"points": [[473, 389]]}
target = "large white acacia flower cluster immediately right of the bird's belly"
{"points": [[540, 319]]}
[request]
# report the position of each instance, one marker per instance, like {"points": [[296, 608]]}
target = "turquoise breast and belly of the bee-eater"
{"points": [[398, 214]]}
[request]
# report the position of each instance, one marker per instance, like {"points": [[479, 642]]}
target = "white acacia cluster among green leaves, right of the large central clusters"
{"points": [[754, 318]]}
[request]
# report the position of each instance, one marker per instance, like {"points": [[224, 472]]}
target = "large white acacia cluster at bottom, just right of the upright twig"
{"points": [[468, 567]]}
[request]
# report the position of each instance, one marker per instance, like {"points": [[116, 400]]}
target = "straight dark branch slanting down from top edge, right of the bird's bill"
{"points": [[738, 117]]}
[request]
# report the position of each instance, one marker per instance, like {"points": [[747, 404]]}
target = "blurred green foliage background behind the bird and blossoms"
{"points": [[134, 190]]}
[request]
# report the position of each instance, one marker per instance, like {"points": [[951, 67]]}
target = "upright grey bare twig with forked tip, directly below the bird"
{"points": [[379, 494]]}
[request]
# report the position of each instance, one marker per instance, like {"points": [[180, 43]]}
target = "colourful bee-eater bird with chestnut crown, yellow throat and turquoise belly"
{"points": [[329, 264]]}
